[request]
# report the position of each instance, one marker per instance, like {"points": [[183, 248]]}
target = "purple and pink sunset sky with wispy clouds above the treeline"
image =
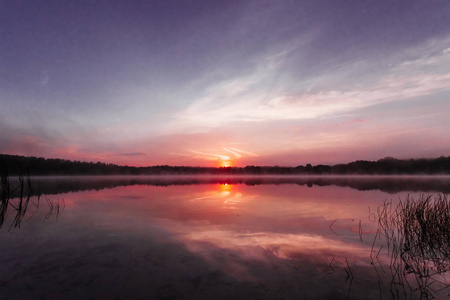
{"points": [[225, 83]]}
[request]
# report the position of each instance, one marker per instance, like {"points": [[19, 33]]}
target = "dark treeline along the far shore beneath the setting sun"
{"points": [[34, 166]]}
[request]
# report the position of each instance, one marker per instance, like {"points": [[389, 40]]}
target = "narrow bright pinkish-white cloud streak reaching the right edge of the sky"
{"points": [[309, 106]]}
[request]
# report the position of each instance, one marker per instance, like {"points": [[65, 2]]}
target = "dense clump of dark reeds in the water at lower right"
{"points": [[417, 235]]}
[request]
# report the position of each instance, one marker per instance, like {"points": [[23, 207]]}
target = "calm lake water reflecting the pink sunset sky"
{"points": [[208, 238]]}
